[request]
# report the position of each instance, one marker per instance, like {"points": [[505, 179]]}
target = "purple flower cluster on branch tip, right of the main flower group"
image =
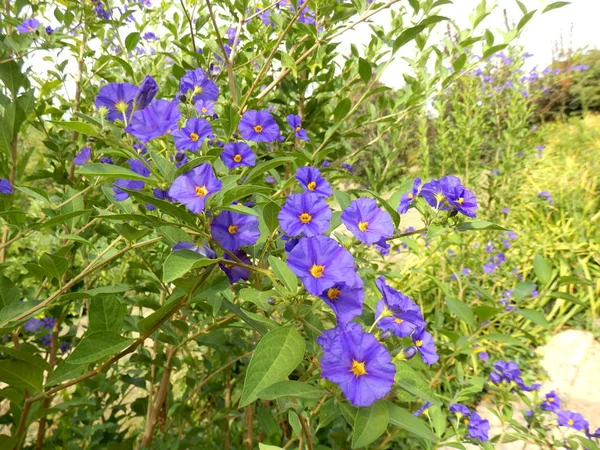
{"points": [[446, 194]]}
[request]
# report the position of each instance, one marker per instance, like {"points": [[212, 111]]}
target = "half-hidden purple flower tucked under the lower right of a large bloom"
{"points": [[345, 299]]}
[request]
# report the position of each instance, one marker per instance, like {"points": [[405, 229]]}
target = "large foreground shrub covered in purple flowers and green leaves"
{"points": [[185, 263]]}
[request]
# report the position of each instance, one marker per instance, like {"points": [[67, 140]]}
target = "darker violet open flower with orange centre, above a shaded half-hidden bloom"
{"points": [[234, 230]]}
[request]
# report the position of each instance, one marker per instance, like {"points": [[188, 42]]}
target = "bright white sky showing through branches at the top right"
{"points": [[575, 25]]}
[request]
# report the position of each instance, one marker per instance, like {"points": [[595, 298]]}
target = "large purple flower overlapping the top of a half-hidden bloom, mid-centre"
{"points": [[321, 263]]}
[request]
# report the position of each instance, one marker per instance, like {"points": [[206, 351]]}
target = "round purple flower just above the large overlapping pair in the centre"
{"points": [[306, 214]]}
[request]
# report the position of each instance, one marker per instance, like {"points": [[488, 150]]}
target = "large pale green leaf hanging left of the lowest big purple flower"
{"points": [[277, 354]]}
